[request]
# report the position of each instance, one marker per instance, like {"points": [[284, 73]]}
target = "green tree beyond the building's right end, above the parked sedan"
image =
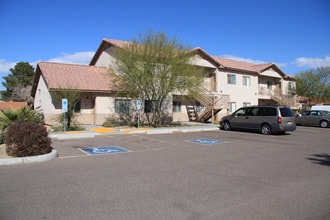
{"points": [[314, 84]]}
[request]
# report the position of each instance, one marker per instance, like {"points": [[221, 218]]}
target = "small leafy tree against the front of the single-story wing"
{"points": [[73, 97]]}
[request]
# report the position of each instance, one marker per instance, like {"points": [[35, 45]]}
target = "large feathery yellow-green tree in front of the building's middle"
{"points": [[153, 66]]}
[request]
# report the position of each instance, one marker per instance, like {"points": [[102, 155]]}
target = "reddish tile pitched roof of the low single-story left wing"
{"points": [[75, 77]]}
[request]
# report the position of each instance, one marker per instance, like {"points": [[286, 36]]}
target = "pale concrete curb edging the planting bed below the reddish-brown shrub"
{"points": [[32, 159]]}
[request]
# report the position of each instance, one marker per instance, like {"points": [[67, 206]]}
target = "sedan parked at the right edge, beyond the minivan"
{"points": [[314, 118]]}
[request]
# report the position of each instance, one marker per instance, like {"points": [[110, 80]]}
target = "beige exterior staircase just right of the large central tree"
{"points": [[211, 104]]}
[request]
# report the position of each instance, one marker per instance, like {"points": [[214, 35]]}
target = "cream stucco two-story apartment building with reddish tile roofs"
{"points": [[228, 84]]}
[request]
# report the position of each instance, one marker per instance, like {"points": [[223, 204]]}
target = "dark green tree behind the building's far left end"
{"points": [[18, 84]]}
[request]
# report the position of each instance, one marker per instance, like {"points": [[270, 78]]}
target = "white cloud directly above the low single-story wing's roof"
{"points": [[75, 58]]}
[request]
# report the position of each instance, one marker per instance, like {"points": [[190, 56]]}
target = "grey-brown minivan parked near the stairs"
{"points": [[265, 119]]}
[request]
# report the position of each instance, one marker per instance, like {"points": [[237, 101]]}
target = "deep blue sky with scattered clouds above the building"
{"points": [[294, 34]]}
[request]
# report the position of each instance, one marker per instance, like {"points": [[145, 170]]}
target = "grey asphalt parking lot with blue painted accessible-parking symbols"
{"points": [[194, 175]]}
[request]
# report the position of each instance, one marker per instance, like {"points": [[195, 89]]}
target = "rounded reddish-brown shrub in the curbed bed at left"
{"points": [[27, 139]]}
